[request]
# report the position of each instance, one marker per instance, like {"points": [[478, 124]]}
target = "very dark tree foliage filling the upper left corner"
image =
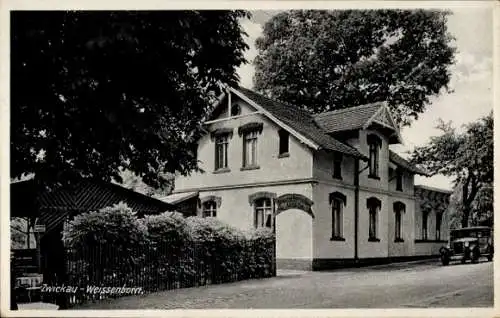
{"points": [[95, 93]]}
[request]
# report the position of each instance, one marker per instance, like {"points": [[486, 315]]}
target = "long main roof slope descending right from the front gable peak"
{"points": [[297, 120]]}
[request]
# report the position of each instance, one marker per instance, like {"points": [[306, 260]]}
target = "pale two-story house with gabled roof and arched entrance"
{"points": [[327, 184]]}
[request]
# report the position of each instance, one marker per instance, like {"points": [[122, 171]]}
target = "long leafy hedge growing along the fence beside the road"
{"points": [[165, 252]]}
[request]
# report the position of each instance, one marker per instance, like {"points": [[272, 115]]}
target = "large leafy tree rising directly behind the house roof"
{"points": [[325, 60]]}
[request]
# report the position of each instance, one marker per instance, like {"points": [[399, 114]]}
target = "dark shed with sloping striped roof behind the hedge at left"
{"points": [[52, 206]]}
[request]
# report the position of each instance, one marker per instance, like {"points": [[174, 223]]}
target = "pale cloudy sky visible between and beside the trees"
{"points": [[472, 79]]}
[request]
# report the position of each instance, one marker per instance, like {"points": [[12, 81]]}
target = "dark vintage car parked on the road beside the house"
{"points": [[469, 243]]}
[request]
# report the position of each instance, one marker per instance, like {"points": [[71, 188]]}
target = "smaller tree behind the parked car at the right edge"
{"points": [[467, 157]]}
